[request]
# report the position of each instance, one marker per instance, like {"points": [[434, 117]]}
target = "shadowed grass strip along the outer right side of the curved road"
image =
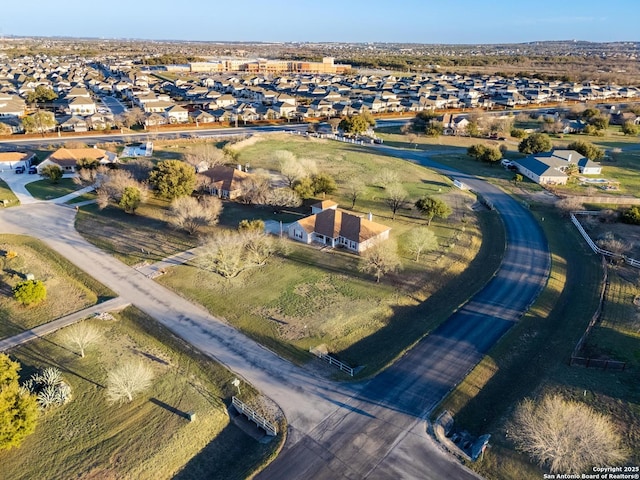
{"points": [[533, 359]]}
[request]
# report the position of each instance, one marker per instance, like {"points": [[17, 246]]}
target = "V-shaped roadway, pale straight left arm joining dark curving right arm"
{"points": [[373, 430]]}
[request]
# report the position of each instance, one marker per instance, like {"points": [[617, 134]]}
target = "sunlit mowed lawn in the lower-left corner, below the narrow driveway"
{"points": [[149, 438]]}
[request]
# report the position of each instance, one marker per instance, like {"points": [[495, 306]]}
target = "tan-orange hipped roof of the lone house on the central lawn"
{"points": [[338, 223]]}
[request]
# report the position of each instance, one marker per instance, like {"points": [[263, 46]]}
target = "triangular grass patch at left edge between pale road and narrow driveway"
{"points": [[68, 288]]}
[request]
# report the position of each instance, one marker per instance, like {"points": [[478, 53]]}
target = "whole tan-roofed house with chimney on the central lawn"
{"points": [[337, 228]]}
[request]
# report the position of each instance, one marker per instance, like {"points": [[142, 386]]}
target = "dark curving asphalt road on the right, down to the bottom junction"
{"points": [[382, 433]]}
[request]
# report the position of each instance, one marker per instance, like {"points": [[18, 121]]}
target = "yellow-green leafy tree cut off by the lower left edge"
{"points": [[18, 408]]}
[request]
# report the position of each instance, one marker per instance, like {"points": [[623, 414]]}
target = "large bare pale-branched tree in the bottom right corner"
{"points": [[564, 435]]}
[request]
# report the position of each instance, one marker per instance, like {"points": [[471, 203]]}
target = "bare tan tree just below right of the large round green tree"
{"points": [[191, 215]]}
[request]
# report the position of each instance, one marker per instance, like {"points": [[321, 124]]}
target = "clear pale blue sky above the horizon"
{"points": [[405, 21]]}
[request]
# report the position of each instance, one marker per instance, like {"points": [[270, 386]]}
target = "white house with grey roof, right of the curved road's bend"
{"points": [[549, 168]]}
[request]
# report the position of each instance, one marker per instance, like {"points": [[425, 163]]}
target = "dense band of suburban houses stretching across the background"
{"points": [[246, 96]]}
